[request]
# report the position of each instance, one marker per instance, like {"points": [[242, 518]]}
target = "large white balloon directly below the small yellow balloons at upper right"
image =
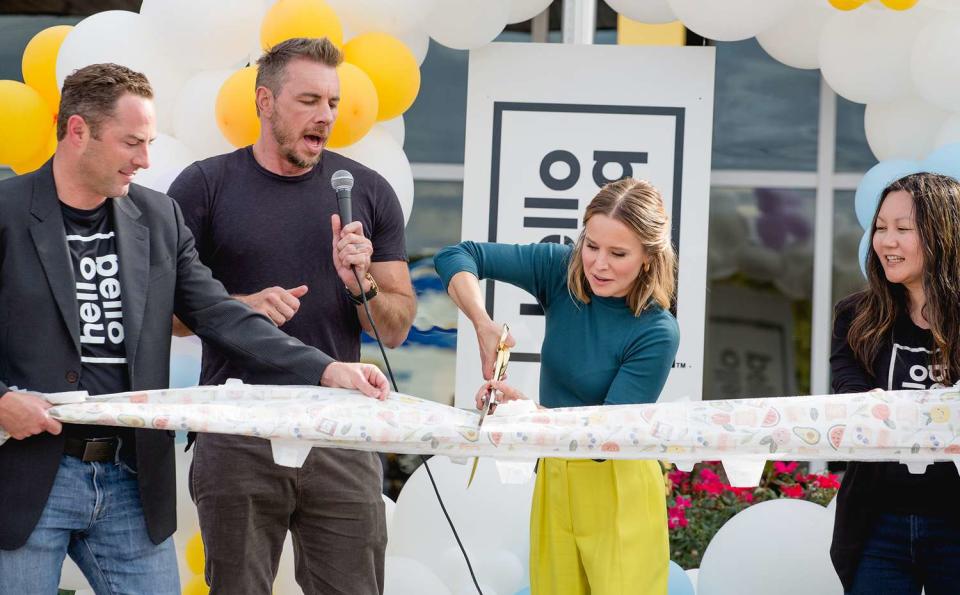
{"points": [[865, 54]]}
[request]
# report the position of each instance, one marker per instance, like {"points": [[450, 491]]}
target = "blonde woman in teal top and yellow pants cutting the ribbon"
{"points": [[596, 526]]}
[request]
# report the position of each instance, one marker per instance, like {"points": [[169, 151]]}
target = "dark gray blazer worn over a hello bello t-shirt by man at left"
{"points": [[160, 275]]}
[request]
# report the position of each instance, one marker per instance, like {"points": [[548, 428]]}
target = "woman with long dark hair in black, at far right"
{"points": [[896, 532]]}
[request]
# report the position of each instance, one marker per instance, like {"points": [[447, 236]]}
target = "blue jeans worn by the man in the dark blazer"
{"points": [[94, 514]]}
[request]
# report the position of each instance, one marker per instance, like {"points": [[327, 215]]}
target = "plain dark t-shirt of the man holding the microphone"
{"points": [[256, 229]]}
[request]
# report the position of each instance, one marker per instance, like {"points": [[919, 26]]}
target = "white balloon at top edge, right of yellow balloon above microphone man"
{"points": [[387, 16]]}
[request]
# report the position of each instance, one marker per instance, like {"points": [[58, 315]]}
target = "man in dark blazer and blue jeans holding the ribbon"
{"points": [[92, 268]]}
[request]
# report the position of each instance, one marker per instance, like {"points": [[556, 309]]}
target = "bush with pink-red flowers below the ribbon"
{"points": [[699, 503]]}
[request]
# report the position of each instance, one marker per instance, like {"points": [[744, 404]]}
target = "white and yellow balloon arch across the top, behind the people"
{"points": [[896, 56]]}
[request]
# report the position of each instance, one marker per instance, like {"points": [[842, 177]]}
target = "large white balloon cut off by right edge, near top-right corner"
{"points": [[936, 70]]}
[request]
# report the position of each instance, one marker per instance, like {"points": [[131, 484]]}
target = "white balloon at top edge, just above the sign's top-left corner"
{"points": [[467, 24]]}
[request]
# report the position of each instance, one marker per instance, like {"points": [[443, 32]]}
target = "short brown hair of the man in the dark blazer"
{"points": [[92, 93]]}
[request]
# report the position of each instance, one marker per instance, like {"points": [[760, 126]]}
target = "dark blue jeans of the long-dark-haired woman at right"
{"points": [[907, 553]]}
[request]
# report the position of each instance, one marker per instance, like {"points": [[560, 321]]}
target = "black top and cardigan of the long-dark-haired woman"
{"points": [[868, 489]]}
